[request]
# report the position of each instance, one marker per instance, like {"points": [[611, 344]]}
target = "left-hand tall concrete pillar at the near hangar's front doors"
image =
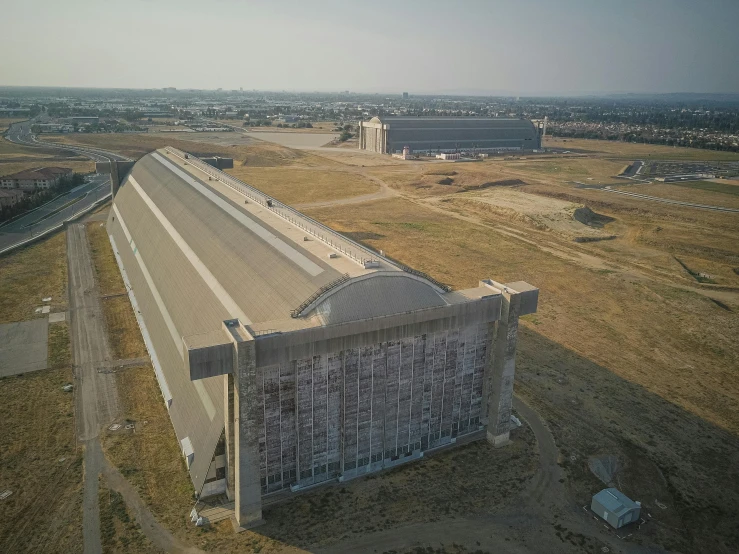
{"points": [[247, 406]]}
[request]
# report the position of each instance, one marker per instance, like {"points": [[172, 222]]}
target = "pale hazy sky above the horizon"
{"points": [[477, 46]]}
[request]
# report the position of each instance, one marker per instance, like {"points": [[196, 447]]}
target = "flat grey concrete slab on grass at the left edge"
{"points": [[24, 346]]}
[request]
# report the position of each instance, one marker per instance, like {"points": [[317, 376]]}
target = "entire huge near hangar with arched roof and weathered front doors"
{"points": [[289, 355]]}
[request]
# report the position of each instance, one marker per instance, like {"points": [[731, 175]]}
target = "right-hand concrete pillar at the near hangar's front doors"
{"points": [[501, 369]]}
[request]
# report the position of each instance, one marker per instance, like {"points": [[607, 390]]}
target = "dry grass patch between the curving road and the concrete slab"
{"points": [[33, 273]]}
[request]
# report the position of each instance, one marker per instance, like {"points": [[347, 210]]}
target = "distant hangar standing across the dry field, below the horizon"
{"points": [[389, 134]]}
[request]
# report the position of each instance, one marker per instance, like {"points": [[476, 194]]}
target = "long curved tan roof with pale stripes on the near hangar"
{"points": [[198, 247]]}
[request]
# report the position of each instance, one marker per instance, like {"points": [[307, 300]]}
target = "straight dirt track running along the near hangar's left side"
{"points": [[96, 401]]}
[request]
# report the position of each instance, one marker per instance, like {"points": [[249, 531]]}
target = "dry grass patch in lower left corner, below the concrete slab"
{"points": [[41, 464]]}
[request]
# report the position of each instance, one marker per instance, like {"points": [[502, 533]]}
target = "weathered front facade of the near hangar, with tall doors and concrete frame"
{"points": [[372, 394]]}
